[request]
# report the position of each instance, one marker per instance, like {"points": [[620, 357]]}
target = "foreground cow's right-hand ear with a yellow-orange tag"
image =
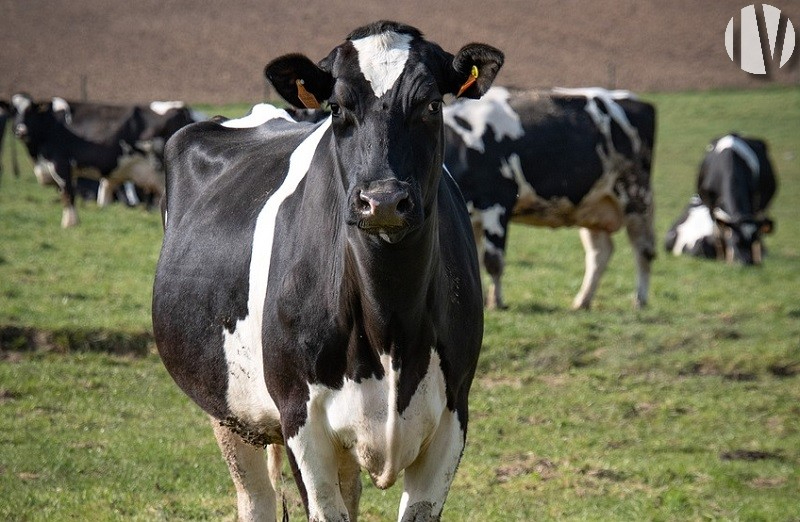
{"points": [[474, 69]]}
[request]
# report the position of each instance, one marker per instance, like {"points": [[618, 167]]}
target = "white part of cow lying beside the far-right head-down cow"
{"points": [[693, 232]]}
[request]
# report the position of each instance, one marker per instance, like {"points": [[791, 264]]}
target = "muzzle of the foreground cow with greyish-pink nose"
{"points": [[384, 208]]}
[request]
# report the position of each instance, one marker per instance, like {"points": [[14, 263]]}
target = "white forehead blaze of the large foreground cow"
{"points": [[382, 58]]}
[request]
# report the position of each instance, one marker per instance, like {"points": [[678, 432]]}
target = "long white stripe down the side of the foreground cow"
{"points": [[248, 398]]}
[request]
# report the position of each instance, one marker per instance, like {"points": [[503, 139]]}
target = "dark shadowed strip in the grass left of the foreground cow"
{"points": [[21, 338]]}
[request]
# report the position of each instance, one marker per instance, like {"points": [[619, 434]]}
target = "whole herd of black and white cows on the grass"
{"points": [[319, 283]]}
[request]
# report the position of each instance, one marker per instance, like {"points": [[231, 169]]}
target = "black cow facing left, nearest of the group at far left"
{"points": [[62, 155]]}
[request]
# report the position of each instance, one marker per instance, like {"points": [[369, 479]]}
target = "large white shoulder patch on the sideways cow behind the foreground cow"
{"points": [[492, 110]]}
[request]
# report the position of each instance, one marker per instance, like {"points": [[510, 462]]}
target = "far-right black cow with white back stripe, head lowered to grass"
{"points": [[736, 183]]}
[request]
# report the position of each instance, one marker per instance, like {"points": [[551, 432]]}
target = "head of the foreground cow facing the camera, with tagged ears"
{"points": [[384, 87]]}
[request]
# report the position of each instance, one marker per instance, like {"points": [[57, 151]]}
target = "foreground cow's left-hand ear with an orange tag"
{"points": [[299, 81]]}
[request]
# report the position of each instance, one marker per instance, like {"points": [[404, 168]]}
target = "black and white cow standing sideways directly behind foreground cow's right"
{"points": [[559, 158]]}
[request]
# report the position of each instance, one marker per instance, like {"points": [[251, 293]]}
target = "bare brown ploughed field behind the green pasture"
{"points": [[215, 51]]}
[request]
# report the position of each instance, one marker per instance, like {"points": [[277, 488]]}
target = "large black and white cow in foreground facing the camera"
{"points": [[318, 285]]}
